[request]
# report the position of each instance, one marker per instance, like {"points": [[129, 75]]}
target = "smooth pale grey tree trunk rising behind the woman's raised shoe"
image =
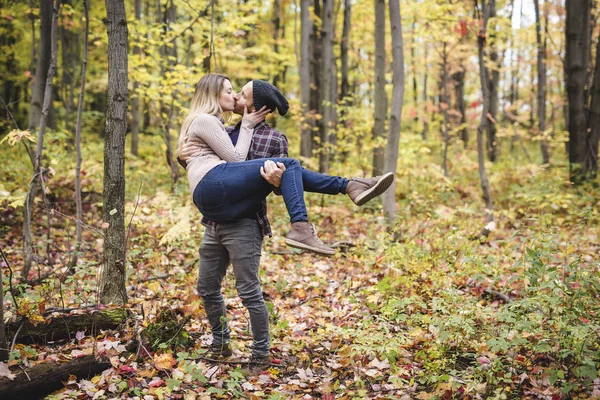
{"points": [[391, 160]]}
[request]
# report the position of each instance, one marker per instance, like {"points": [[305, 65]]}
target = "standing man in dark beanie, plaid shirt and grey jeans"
{"points": [[239, 242]]}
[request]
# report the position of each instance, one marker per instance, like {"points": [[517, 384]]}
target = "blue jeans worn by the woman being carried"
{"points": [[232, 191]]}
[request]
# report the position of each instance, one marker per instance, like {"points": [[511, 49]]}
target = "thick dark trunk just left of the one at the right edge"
{"points": [[583, 136]]}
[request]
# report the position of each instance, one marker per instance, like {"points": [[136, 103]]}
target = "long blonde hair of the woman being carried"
{"points": [[205, 101]]}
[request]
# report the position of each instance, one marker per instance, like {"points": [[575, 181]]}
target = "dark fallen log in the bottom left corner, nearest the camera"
{"points": [[45, 378]]}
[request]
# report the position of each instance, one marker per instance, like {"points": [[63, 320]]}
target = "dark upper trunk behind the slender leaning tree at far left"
{"points": [[43, 64]]}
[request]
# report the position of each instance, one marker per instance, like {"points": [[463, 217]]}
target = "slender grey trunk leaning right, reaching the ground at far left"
{"points": [[37, 162]]}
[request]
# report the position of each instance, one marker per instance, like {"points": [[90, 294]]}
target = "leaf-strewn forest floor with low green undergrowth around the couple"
{"points": [[430, 312]]}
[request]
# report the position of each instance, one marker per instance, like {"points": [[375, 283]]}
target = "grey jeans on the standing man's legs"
{"points": [[238, 243]]}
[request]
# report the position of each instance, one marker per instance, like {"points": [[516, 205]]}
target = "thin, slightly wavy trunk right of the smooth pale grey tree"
{"points": [[485, 188]]}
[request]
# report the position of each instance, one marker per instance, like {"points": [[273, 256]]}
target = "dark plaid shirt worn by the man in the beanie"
{"points": [[266, 143]]}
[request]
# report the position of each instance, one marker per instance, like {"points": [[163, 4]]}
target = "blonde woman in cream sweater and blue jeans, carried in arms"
{"points": [[226, 187]]}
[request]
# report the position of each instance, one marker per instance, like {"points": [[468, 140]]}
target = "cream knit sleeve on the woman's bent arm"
{"points": [[213, 133]]}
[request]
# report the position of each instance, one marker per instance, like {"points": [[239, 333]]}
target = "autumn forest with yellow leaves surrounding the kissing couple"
{"points": [[478, 277]]}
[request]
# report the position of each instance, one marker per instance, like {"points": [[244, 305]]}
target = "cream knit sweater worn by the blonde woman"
{"points": [[207, 145]]}
